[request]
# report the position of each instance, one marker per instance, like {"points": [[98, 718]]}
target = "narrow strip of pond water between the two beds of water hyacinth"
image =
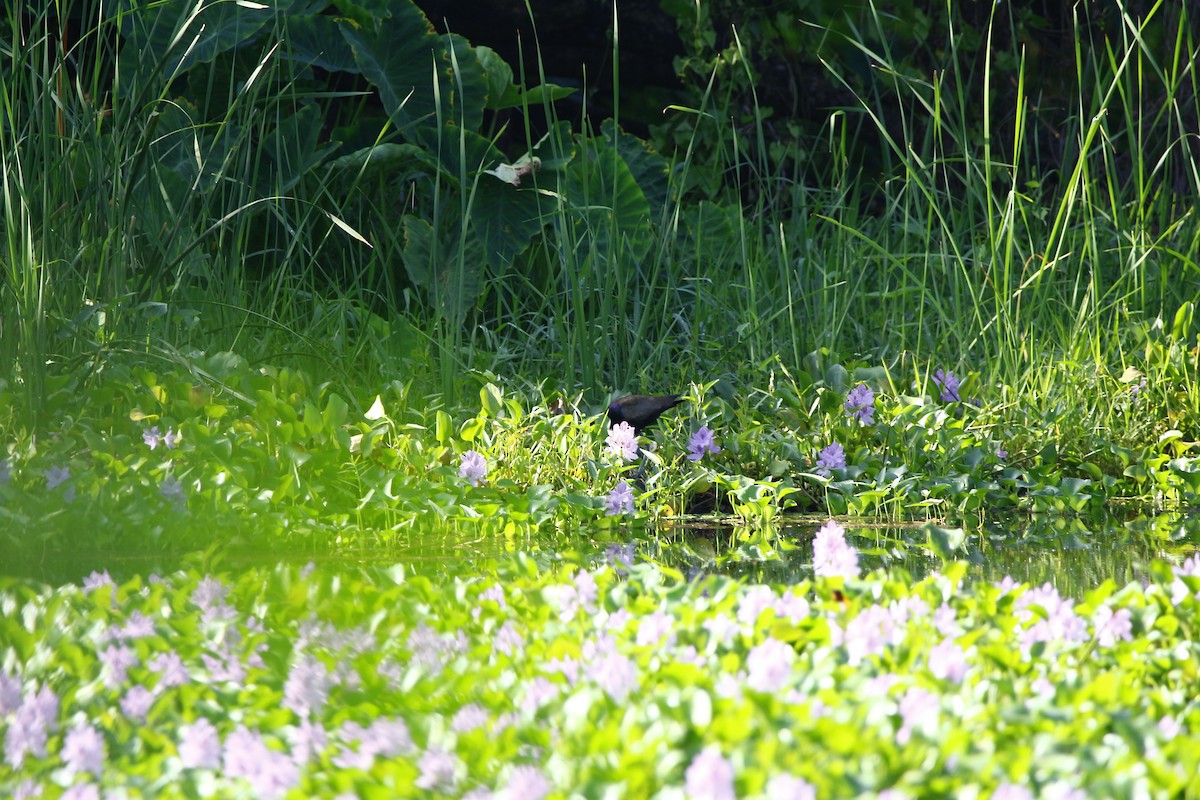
{"points": [[1072, 554]]}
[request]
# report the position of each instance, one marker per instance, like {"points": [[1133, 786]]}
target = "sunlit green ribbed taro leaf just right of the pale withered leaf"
{"points": [[604, 199]]}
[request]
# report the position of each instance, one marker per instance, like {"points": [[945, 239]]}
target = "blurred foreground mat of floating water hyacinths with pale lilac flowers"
{"points": [[616, 682]]}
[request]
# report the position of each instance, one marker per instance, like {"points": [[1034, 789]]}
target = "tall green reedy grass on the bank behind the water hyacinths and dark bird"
{"points": [[141, 219]]}
